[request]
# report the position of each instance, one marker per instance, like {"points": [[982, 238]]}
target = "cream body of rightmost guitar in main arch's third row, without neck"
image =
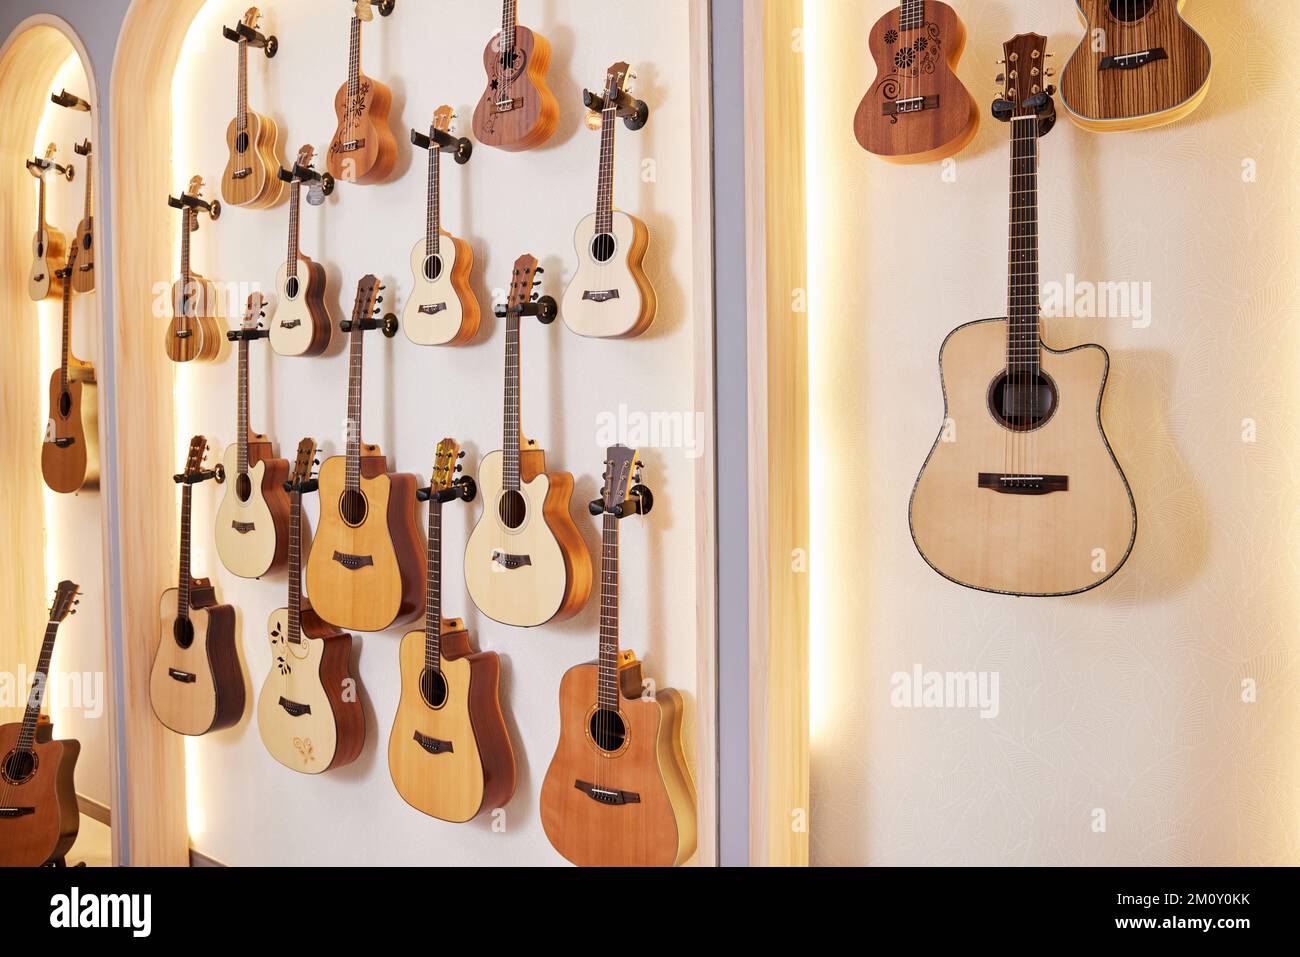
{"points": [[552, 579]]}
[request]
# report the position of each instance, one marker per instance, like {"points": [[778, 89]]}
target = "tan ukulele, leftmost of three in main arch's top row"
{"points": [[253, 140]]}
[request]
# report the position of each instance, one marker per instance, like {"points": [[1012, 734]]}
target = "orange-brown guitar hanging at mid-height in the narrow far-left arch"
{"points": [[70, 456]]}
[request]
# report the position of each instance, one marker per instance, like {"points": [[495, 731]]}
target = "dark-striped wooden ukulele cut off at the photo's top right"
{"points": [[1138, 66]]}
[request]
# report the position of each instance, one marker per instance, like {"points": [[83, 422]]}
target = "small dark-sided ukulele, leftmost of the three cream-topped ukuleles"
{"points": [[302, 323]]}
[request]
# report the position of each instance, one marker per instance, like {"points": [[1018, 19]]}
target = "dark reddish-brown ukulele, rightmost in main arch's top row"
{"points": [[518, 111]]}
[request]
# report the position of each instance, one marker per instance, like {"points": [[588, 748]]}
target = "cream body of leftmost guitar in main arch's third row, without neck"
{"points": [[253, 519]]}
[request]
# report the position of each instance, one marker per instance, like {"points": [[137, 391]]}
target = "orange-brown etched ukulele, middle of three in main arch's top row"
{"points": [[365, 149]]}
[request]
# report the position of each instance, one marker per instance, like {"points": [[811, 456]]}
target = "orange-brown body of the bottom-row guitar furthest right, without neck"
{"points": [[657, 830]]}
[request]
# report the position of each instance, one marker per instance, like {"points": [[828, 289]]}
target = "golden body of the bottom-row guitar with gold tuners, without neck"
{"points": [[466, 764]]}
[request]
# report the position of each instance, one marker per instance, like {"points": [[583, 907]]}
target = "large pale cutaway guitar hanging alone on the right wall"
{"points": [[1026, 496]]}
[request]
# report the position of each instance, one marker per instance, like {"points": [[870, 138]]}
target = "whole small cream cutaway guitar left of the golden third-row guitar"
{"points": [[250, 531]]}
